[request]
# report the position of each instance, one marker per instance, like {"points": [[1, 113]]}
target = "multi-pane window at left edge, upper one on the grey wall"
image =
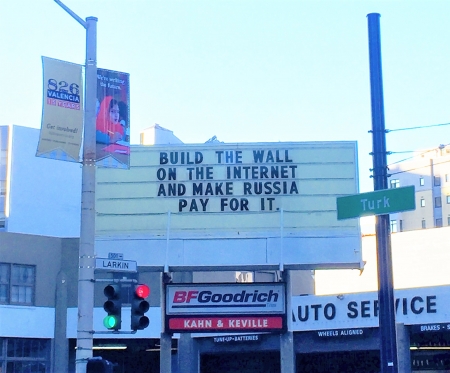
{"points": [[17, 283]]}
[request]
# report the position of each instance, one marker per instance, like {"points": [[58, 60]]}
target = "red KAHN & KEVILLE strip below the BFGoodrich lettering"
{"points": [[235, 323]]}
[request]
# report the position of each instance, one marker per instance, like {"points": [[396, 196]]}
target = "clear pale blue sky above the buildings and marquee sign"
{"points": [[246, 70]]}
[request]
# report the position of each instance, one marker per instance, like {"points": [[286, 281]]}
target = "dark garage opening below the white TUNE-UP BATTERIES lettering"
{"points": [[248, 362]]}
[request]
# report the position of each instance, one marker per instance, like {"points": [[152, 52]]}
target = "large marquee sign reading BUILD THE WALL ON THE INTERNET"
{"points": [[232, 205]]}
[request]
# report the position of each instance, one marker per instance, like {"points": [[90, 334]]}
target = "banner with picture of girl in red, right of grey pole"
{"points": [[113, 119]]}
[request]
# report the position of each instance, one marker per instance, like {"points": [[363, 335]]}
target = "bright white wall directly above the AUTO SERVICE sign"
{"points": [[420, 258]]}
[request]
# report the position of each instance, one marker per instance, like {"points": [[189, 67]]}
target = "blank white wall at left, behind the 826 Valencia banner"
{"points": [[45, 194]]}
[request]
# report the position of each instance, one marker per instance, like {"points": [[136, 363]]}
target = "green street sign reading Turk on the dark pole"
{"points": [[380, 202]]}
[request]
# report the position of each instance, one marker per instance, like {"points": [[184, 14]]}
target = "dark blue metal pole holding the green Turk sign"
{"points": [[388, 336]]}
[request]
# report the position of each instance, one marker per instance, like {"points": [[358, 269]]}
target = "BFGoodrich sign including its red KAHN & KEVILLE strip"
{"points": [[225, 308]]}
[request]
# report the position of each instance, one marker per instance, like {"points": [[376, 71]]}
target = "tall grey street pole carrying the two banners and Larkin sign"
{"points": [[87, 226]]}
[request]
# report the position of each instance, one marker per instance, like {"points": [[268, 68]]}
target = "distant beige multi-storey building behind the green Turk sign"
{"points": [[429, 172]]}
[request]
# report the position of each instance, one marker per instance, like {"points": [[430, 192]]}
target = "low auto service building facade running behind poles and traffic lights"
{"points": [[333, 332]]}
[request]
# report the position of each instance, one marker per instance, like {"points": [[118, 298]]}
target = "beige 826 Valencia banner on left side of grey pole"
{"points": [[62, 111]]}
